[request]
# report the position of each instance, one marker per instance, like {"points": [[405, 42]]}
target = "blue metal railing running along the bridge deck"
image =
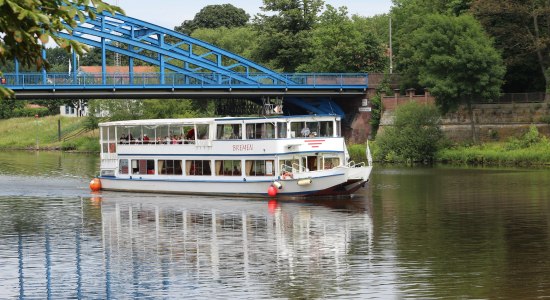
{"points": [[259, 80]]}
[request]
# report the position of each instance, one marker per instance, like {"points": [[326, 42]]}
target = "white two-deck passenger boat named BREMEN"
{"points": [[282, 156]]}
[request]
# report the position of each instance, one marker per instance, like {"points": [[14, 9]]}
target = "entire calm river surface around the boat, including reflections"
{"points": [[424, 232]]}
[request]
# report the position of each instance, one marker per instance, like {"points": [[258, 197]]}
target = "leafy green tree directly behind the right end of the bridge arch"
{"points": [[340, 44]]}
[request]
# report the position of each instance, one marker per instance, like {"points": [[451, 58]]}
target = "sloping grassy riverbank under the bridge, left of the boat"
{"points": [[28, 133]]}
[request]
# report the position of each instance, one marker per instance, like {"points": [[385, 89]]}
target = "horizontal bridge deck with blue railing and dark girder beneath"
{"points": [[150, 85]]}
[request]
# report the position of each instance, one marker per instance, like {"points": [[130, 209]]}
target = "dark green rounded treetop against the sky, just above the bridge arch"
{"points": [[215, 16]]}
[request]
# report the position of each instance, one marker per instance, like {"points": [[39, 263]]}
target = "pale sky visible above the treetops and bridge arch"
{"points": [[171, 13]]}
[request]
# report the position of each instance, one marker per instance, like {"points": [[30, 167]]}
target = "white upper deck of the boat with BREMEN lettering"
{"points": [[229, 135]]}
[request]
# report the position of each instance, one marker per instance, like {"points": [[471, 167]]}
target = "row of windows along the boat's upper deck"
{"points": [[188, 133]]}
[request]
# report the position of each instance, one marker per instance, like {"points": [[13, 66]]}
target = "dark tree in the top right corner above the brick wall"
{"points": [[522, 31]]}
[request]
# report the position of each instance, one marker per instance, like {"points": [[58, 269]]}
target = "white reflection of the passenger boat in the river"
{"points": [[213, 240]]}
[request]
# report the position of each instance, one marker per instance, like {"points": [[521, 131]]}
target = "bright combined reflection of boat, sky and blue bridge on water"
{"points": [[169, 246]]}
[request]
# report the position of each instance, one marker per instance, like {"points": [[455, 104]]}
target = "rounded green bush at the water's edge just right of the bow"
{"points": [[413, 137]]}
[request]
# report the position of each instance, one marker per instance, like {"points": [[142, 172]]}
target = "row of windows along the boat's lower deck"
{"points": [[220, 167]]}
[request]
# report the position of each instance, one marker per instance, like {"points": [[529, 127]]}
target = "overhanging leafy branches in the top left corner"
{"points": [[27, 26]]}
